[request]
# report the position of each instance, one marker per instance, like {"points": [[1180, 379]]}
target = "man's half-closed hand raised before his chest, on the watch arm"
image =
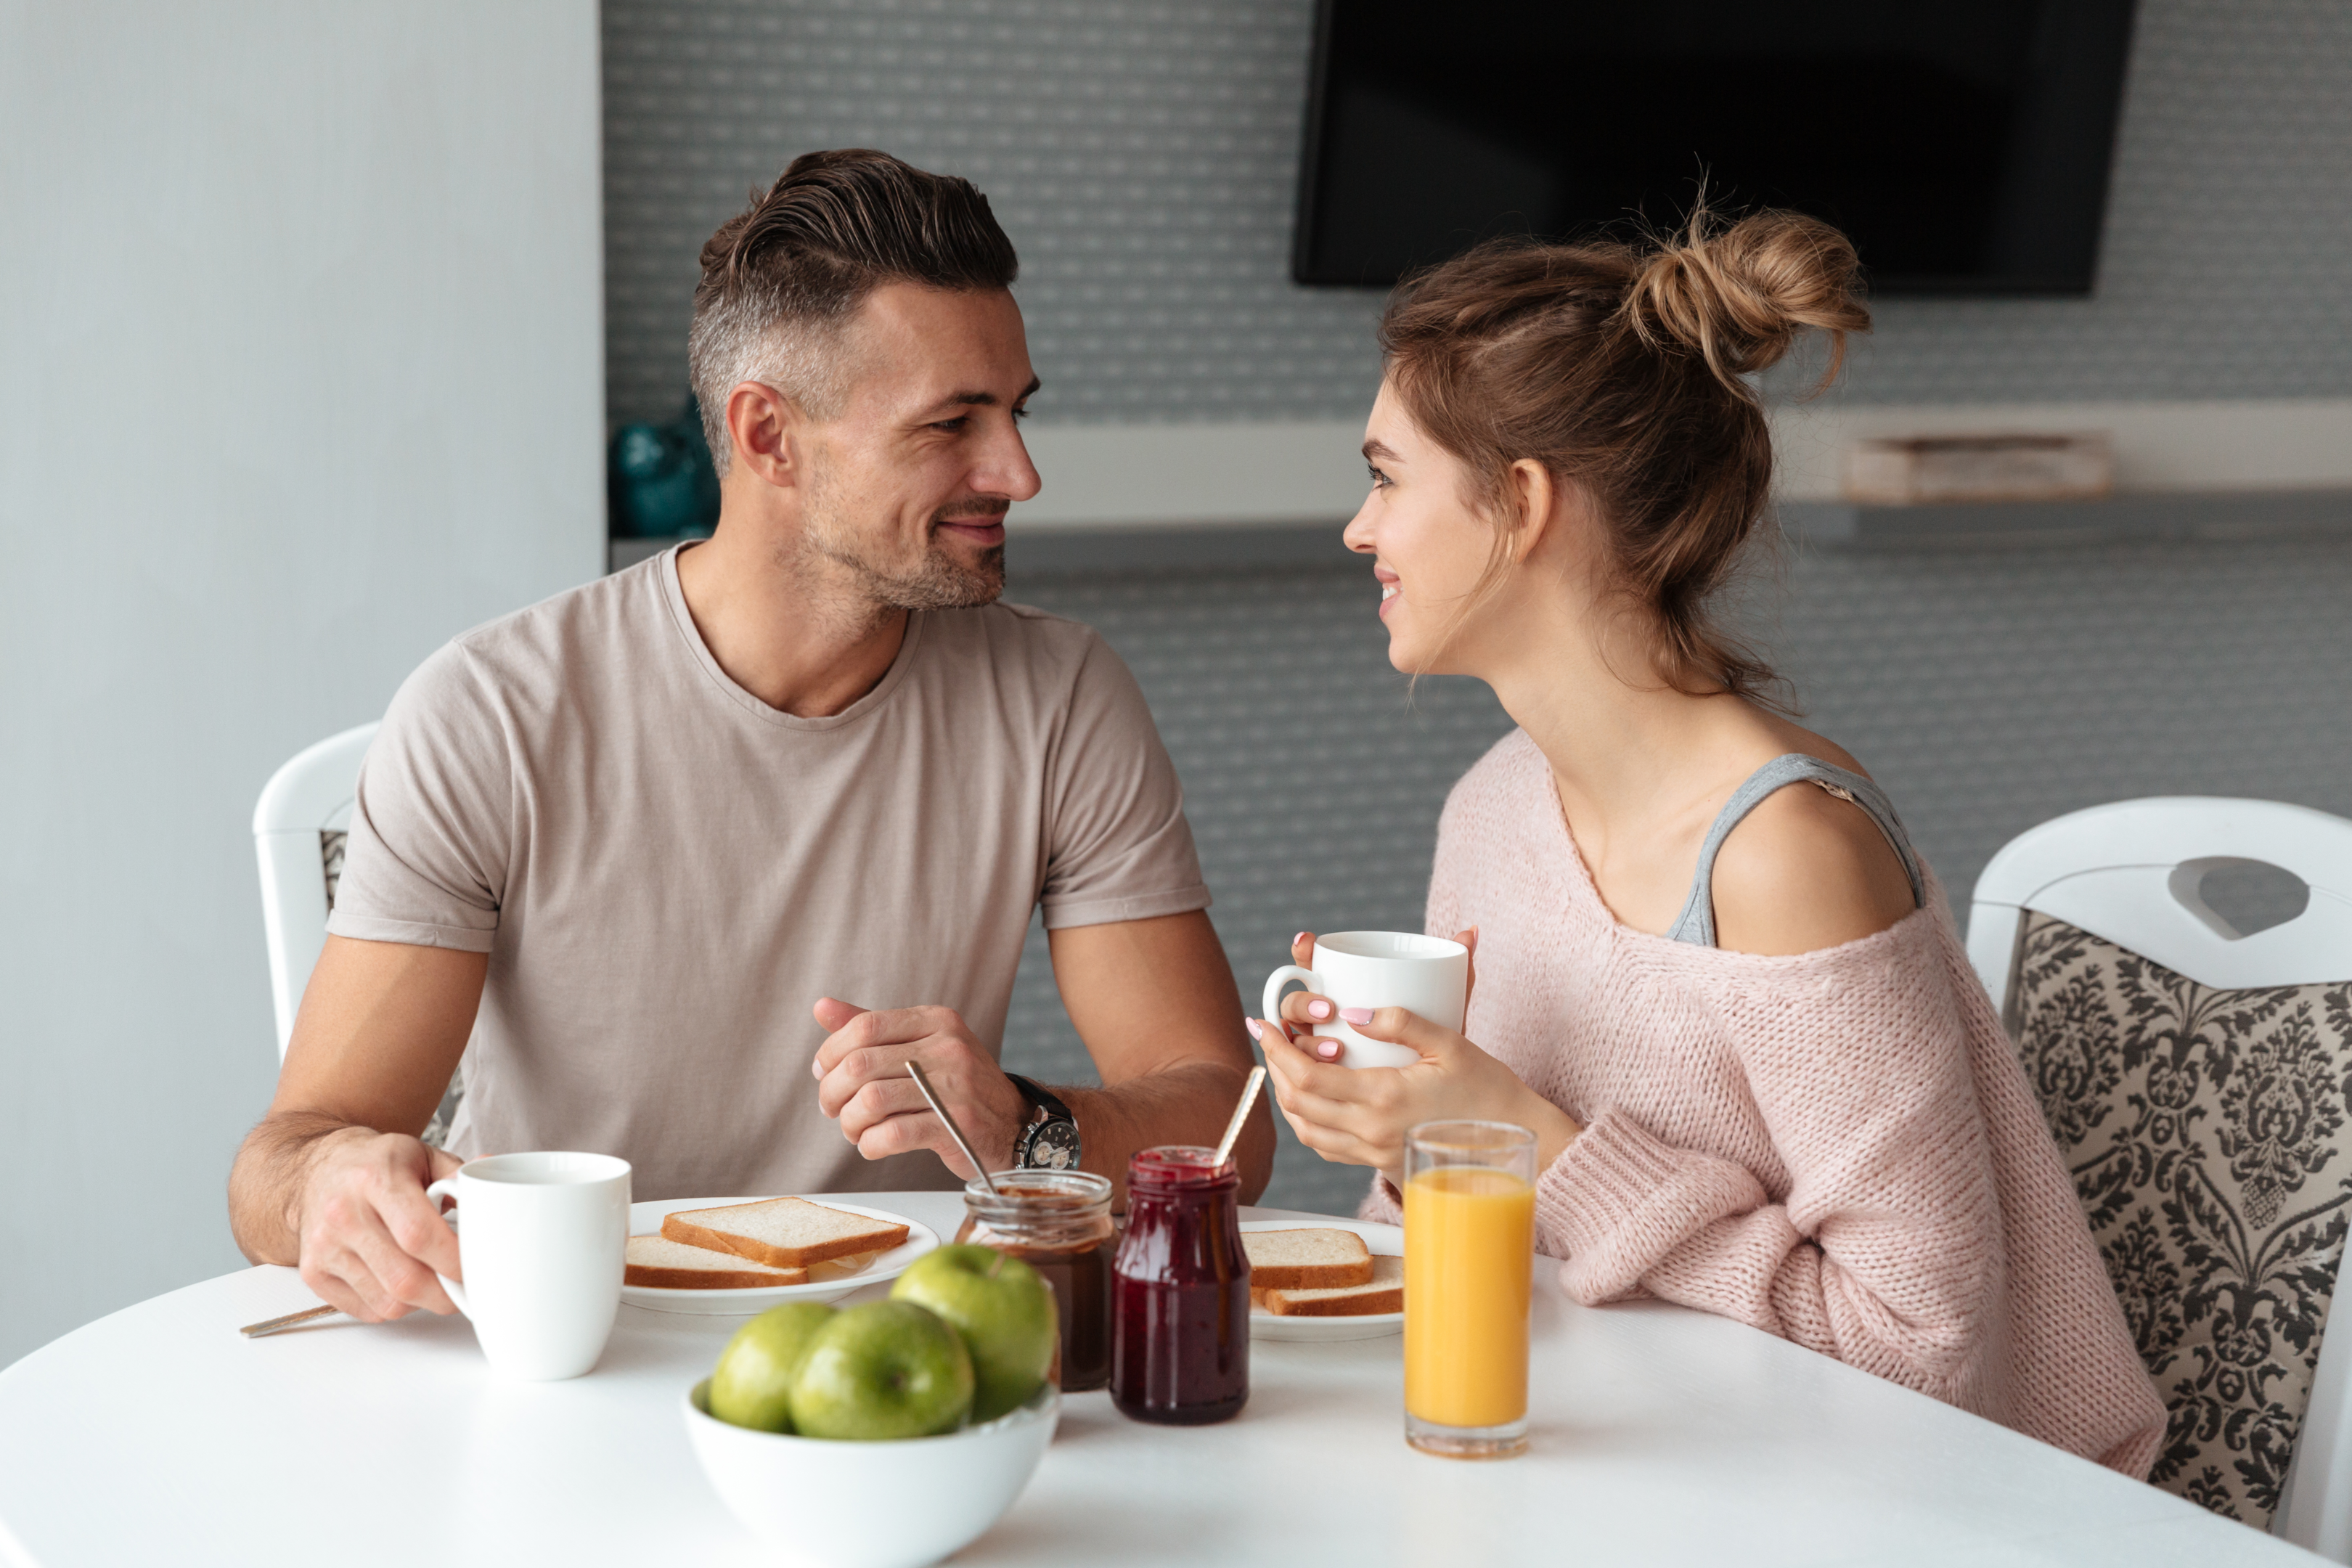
{"points": [[864, 1083]]}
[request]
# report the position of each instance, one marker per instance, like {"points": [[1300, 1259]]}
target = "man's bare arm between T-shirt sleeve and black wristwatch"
{"points": [[1156, 1005]]}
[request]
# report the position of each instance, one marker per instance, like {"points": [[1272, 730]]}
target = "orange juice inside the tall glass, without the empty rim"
{"points": [[1469, 1264]]}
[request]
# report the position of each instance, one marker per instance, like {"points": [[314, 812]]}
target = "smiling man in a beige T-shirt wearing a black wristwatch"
{"points": [[688, 862]]}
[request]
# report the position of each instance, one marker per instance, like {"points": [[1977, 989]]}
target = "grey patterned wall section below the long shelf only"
{"points": [[1986, 690]]}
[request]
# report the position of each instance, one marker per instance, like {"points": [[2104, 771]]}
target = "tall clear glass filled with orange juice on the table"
{"points": [[1469, 1266]]}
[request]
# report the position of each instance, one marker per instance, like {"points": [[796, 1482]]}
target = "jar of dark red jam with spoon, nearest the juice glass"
{"points": [[1180, 1292]]}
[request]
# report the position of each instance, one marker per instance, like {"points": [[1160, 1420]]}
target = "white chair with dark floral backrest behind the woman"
{"points": [[2092, 1024]]}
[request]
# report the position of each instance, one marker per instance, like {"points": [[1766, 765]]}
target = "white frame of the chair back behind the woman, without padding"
{"points": [[2132, 876]]}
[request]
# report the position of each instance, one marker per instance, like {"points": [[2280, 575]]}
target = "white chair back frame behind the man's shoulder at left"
{"points": [[302, 803]]}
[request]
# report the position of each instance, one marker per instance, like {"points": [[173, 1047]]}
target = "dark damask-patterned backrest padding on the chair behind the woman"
{"points": [[2210, 1146]]}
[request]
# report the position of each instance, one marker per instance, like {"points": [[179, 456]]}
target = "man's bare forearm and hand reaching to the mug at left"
{"points": [[333, 1179]]}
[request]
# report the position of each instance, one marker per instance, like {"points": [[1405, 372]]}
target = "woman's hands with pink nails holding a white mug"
{"points": [[1361, 1115]]}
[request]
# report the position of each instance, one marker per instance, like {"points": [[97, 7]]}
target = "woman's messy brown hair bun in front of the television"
{"points": [[1739, 295]]}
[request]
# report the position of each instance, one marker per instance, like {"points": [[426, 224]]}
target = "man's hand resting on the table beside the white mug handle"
{"points": [[370, 1240]]}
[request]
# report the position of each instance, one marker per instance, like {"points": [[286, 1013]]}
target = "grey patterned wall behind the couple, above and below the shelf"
{"points": [[1144, 152]]}
